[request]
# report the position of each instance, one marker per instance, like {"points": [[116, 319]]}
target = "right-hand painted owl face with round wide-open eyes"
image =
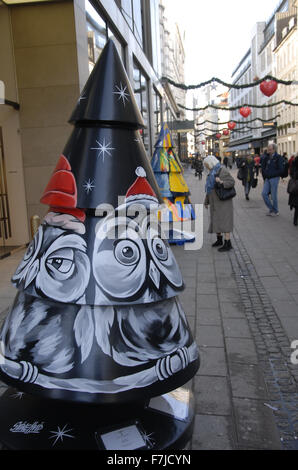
{"points": [[139, 265]]}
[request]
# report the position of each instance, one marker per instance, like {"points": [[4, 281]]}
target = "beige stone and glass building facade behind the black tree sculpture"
{"points": [[47, 51]]}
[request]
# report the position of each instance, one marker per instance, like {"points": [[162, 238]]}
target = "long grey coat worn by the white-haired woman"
{"points": [[221, 212]]}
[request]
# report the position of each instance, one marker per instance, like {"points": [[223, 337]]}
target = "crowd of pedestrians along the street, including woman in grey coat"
{"points": [[220, 186]]}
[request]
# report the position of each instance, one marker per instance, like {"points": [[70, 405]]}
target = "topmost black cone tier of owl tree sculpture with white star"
{"points": [[108, 96]]}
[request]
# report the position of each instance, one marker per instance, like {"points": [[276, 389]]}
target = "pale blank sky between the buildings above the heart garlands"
{"points": [[217, 33]]}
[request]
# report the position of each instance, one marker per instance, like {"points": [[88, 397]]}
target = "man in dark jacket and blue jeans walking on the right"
{"points": [[272, 169]]}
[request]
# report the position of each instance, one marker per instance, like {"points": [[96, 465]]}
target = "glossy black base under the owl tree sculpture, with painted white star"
{"points": [[31, 423]]}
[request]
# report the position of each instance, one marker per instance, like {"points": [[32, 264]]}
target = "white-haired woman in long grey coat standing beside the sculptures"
{"points": [[221, 212]]}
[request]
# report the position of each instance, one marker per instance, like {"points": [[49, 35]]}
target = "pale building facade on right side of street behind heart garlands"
{"points": [[261, 60]]}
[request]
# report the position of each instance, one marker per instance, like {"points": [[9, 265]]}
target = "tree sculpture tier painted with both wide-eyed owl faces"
{"points": [[119, 260]]}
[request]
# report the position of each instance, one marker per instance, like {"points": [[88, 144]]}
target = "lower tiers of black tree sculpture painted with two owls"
{"points": [[96, 313]]}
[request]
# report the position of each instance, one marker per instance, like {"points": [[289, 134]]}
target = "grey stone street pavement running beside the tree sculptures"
{"points": [[242, 307]]}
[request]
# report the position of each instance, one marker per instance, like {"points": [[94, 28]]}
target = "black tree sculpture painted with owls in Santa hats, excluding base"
{"points": [[97, 319]]}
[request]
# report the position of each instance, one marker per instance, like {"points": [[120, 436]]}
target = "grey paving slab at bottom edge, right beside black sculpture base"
{"points": [[212, 433]]}
